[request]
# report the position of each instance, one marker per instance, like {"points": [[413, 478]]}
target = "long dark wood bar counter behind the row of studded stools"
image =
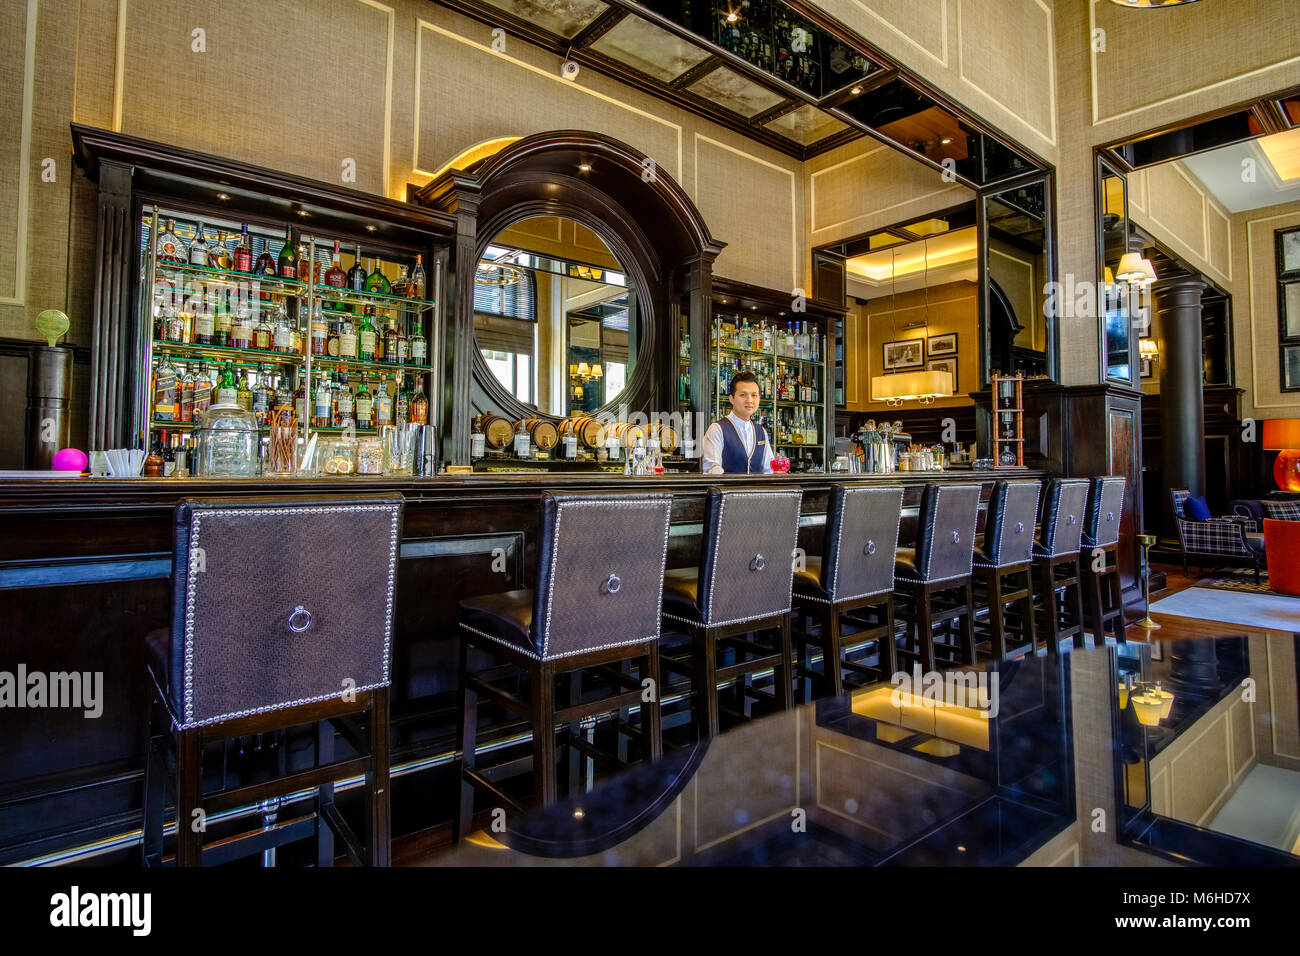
{"points": [[85, 572]]}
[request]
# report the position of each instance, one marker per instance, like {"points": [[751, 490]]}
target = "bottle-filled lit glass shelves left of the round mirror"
{"points": [[214, 301]]}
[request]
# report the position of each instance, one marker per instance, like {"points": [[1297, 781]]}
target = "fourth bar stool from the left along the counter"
{"points": [[855, 573]]}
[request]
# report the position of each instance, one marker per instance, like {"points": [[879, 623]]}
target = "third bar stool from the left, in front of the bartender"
{"points": [[742, 589]]}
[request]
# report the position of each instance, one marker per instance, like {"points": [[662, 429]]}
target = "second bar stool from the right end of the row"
{"points": [[1056, 564]]}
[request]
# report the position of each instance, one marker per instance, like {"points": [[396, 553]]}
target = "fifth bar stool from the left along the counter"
{"points": [[935, 577]]}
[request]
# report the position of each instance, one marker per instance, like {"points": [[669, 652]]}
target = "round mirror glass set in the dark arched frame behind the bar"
{"points": [[557, 318]]}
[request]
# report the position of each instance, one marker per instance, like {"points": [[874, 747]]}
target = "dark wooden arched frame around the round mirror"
{"points": [[645, 219]]}
